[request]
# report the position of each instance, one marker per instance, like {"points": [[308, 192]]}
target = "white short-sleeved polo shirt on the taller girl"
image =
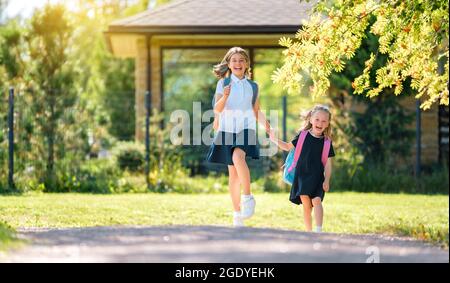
{"points": [[237, 114]]}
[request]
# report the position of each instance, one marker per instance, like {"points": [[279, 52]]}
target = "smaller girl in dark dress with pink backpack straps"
{"points": [[312, 178]]}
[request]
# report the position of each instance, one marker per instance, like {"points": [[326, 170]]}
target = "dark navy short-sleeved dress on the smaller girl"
{"points": [[309, 172]]}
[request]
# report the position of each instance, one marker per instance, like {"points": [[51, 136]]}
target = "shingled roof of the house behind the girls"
{"points": [[214, 16]]}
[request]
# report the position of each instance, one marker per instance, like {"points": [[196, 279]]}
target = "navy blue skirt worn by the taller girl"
{"points": [[221, 150]]}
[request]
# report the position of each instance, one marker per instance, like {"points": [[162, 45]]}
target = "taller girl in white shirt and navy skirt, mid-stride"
{"points": [[236, 106]]}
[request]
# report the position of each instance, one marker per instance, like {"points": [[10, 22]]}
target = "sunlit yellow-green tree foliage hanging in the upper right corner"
{"points": [[412, 34]]}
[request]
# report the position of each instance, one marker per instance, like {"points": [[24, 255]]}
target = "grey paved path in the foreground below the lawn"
{"points": [[214, 244]]}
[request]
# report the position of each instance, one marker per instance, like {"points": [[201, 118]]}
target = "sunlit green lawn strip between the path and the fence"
{"points": [[421, 216]]}
